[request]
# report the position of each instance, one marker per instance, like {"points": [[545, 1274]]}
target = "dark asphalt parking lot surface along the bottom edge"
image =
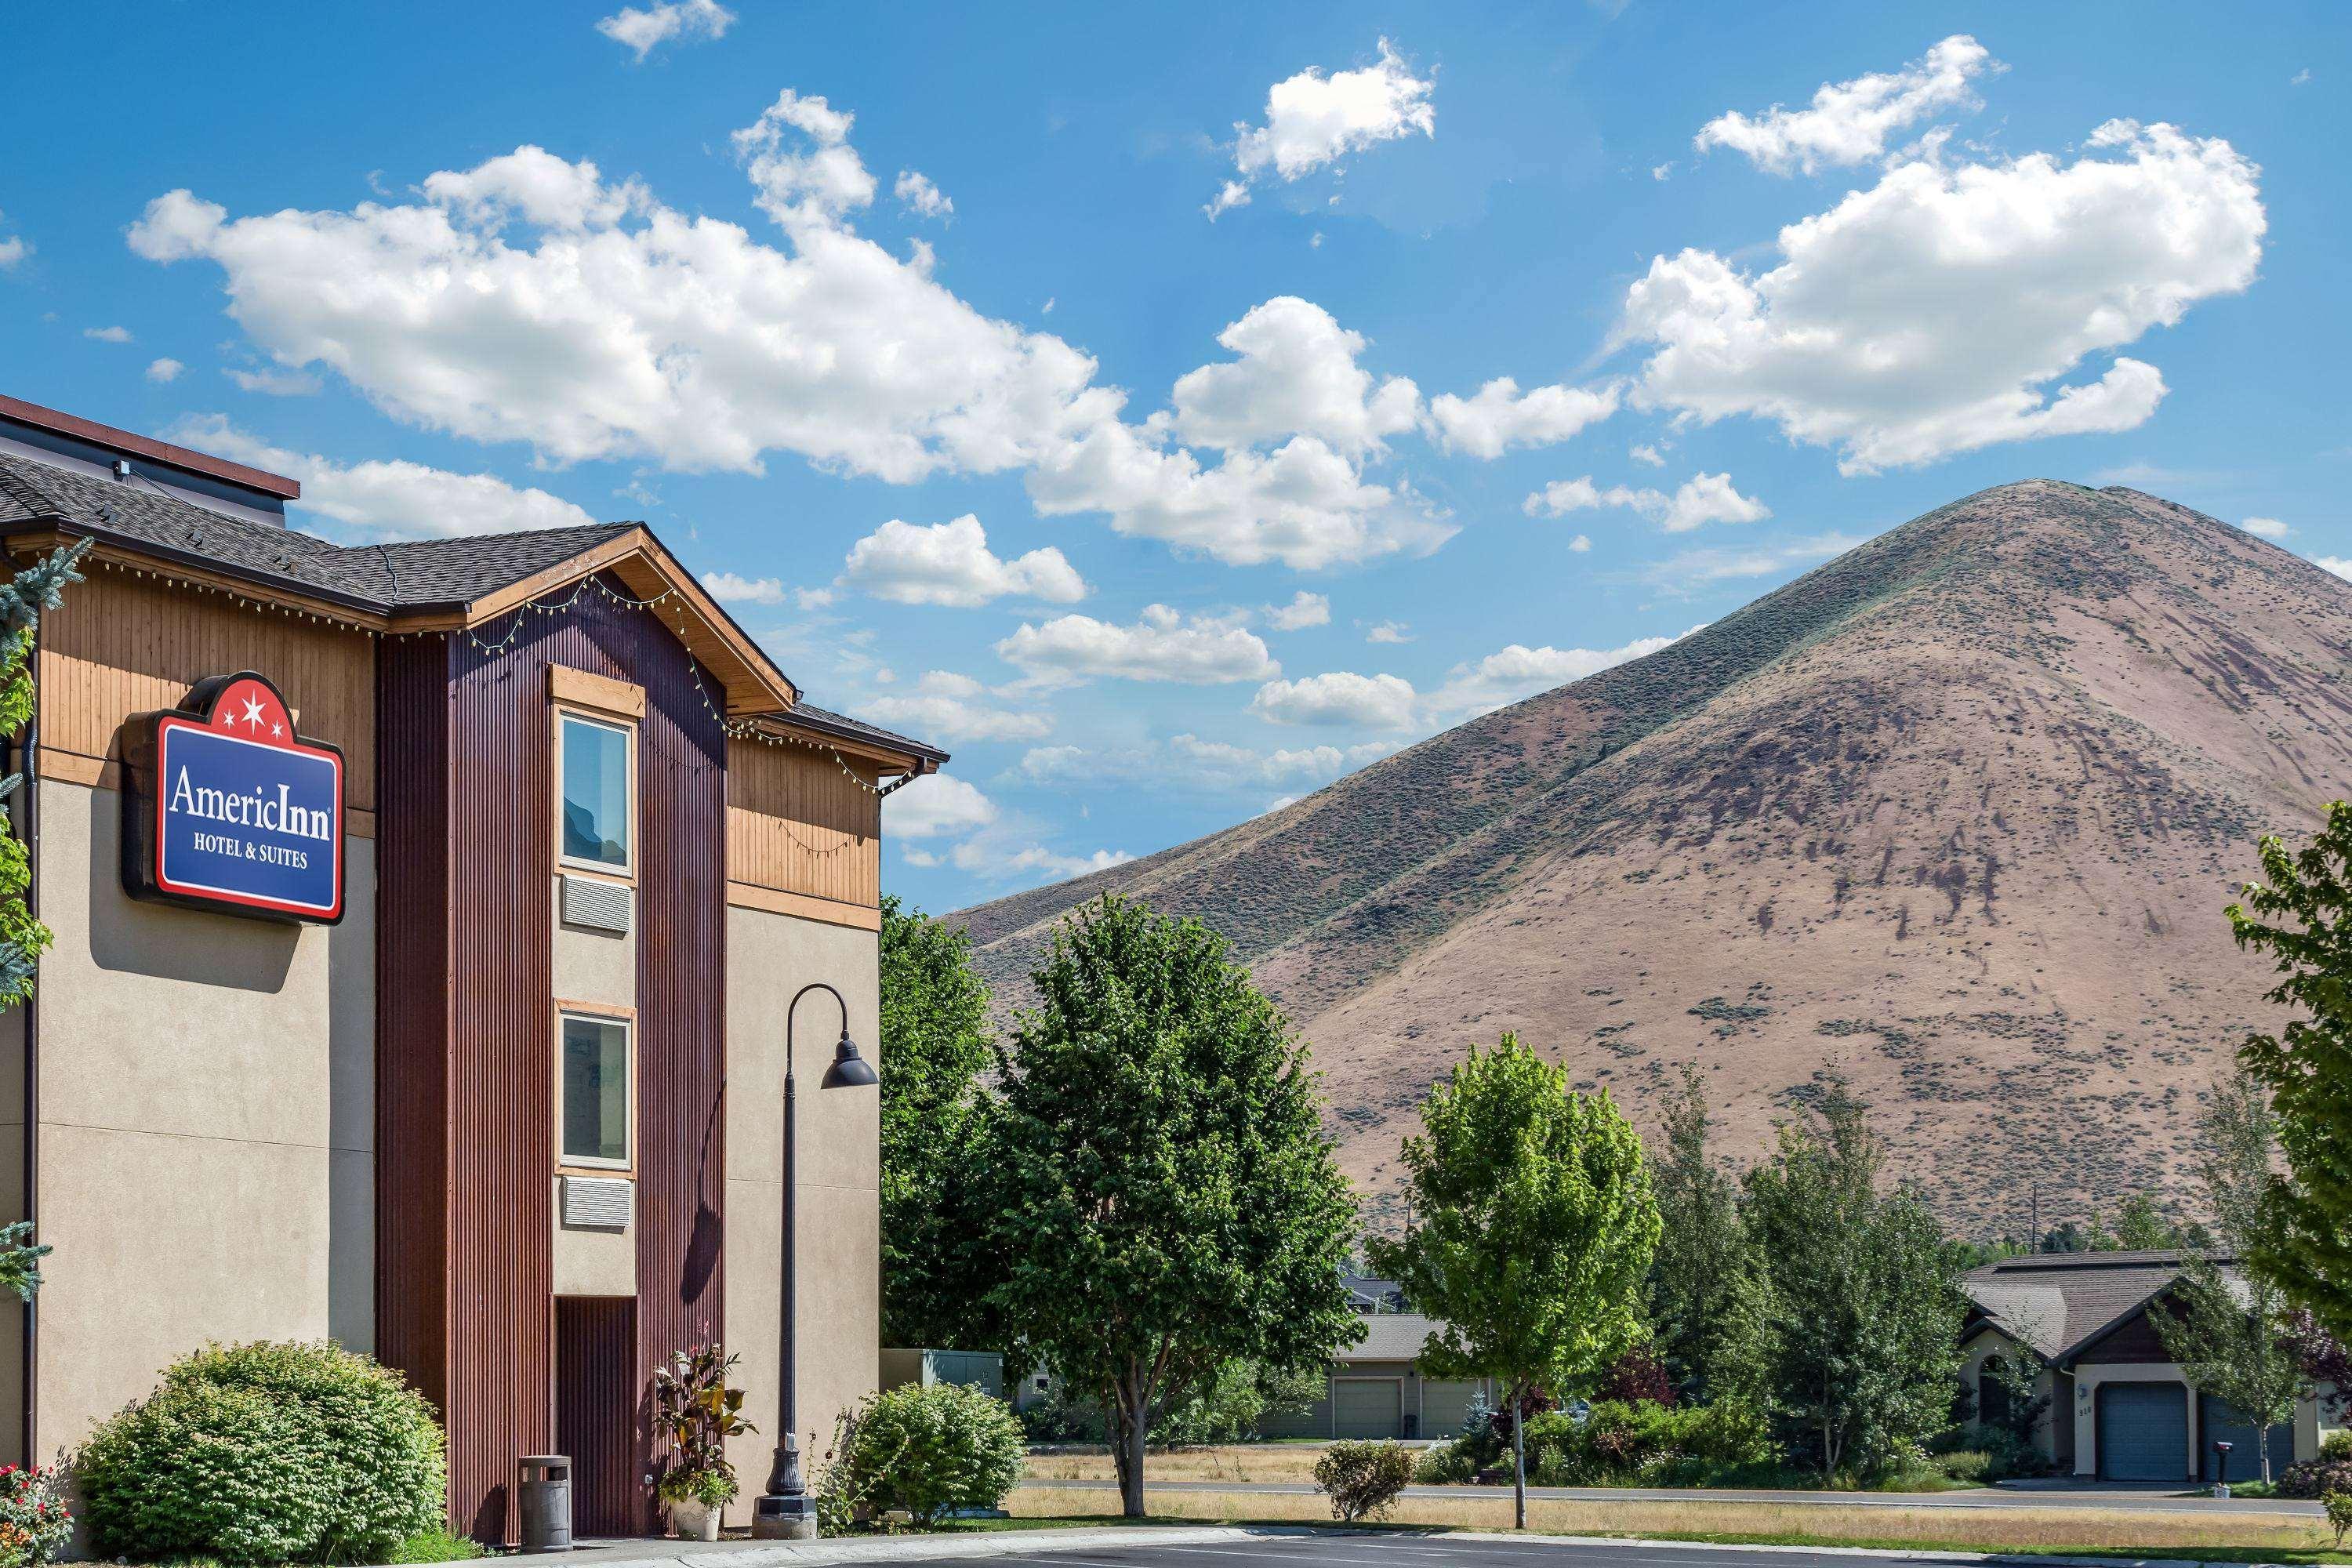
{"points": [[1408, 1550]]}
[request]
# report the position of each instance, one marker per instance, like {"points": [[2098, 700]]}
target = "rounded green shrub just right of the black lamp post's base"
{"points": [[933, 1449]]}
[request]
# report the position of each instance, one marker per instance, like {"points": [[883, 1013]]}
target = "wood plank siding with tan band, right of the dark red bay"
{"points": [[796, 824]]}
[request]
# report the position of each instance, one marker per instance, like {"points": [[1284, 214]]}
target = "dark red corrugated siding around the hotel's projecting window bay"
{"points": [[495, 876]]}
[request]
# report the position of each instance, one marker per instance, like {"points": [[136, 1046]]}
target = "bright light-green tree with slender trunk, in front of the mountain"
{"points": [[1535, 1231]]}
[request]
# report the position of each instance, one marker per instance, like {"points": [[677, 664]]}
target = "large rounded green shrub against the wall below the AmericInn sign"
{"points": [[267, 1454]]}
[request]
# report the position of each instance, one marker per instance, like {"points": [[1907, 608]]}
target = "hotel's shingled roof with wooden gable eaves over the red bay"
{"points": [[434, 584]]}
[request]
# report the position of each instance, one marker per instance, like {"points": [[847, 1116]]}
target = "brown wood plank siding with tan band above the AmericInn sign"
{"points": [[126, 645]]}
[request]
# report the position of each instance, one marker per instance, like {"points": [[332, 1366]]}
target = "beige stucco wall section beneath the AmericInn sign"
{"points": [[206, 1123]]}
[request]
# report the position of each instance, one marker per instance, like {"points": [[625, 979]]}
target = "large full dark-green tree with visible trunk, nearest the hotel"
{"points": [[1165, 1198]]}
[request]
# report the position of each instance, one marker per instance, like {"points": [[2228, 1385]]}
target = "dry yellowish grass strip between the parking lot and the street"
{"points": [[2010, 1529]]}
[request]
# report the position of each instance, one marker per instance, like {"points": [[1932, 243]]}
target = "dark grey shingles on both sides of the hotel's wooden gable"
{"points": [[415, 575]]}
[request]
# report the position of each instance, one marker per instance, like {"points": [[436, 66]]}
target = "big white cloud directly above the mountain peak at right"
{"points": [[1935, 311]]}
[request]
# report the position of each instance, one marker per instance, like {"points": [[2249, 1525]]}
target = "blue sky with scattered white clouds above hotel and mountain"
{"points": [[1245, 502]]}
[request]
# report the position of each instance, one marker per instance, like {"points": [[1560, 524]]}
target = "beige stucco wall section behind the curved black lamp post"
{"points": [[841, 1179]]}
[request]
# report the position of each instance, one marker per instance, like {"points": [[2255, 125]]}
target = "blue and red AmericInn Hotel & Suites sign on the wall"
{"points": [[229, 810]]}
